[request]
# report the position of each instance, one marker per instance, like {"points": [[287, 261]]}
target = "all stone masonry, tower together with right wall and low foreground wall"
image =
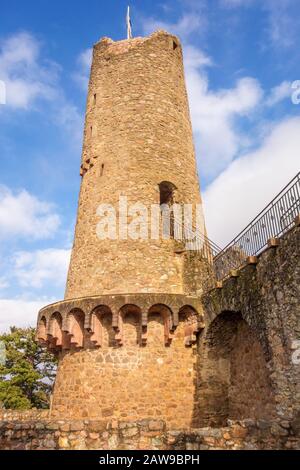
{"points": [[149, 357]]}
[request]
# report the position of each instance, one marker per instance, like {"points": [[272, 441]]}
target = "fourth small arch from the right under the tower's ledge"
{"points": [[102, 333]]}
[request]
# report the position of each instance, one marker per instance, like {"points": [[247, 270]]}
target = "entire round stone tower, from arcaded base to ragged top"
{"points": [[126, 330]]}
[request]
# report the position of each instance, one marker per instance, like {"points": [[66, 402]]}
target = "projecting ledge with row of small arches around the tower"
{"points": [[77, 323]]}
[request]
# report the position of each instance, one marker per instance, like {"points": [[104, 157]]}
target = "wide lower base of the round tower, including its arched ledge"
{"points": [[124, 357]]}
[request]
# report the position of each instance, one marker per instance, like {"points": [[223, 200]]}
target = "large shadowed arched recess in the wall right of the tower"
{"points": [[232, 373]]}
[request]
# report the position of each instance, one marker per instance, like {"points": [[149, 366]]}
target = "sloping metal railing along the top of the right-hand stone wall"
{"points": [[276, 219]]}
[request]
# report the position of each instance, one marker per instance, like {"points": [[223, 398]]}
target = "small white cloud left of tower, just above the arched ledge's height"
{"points": [[39, 268]]}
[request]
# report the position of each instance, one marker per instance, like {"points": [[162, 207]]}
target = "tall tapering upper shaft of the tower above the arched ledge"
{"points": [[137, 134]]}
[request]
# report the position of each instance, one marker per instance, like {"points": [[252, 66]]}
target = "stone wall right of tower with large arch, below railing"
{"points": [[258, 374]]}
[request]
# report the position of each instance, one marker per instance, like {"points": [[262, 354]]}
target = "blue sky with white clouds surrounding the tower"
{"points": [[241, 58]]}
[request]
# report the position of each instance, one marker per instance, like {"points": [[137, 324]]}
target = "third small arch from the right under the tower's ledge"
{"points": [[130, 326]]}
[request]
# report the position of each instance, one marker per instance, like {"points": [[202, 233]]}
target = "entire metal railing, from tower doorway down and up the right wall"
{"points": [[272, 222]]}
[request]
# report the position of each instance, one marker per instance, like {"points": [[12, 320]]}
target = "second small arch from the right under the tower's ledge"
{"points": [[159, 325]]}
